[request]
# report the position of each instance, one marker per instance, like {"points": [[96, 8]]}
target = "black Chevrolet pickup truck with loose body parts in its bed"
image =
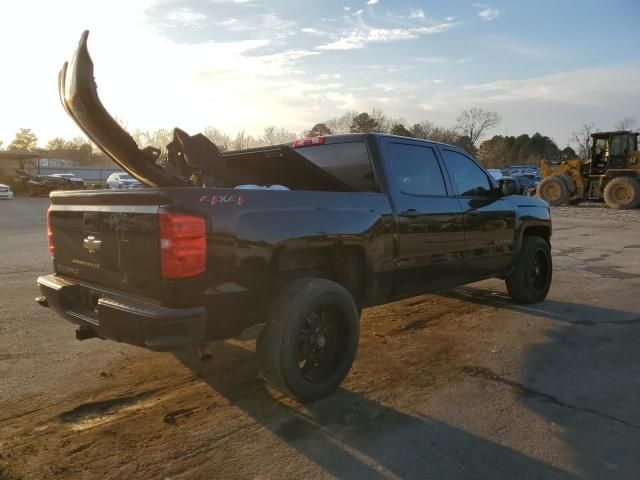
{"points": [[365, 219]]}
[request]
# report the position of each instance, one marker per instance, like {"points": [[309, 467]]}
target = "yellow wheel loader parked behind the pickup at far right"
{"points": [[612, 174]]}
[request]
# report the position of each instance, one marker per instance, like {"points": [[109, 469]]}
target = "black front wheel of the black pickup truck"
{"points": [[531, 279]]}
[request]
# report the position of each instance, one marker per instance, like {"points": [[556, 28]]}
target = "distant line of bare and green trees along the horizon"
{"points": [[471, 127]]}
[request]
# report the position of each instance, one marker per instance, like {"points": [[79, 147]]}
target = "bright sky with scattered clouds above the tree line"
{"points": [[546, 66]]}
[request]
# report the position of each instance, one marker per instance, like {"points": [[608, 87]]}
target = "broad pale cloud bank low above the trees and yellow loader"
{"points": [[552, 104]]}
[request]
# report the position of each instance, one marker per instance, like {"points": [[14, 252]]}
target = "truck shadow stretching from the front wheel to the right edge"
{"points": [[584, 378]]}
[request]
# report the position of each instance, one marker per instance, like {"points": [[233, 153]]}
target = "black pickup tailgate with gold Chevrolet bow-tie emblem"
{"points": [[109, 239]]}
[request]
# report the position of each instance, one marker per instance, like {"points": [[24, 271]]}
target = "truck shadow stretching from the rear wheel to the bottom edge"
{"points": [[351, 436]]}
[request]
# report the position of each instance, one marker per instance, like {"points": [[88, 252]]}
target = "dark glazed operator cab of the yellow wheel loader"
{"points": [[612, 150]]}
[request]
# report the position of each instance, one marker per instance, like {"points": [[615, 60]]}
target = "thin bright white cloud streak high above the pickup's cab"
{"points": [[361, 37]]}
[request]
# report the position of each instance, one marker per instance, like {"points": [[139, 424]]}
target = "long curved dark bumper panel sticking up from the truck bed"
{"points": [[79, 96]]}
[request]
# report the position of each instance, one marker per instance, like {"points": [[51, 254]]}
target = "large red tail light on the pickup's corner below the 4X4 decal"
{"points": [[183, 245]]}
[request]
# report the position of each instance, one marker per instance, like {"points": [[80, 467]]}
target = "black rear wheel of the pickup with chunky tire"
{"points": [[310, 339]]}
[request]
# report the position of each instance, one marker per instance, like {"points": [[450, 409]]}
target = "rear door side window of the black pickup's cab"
{"points": [[417, 170]]}
